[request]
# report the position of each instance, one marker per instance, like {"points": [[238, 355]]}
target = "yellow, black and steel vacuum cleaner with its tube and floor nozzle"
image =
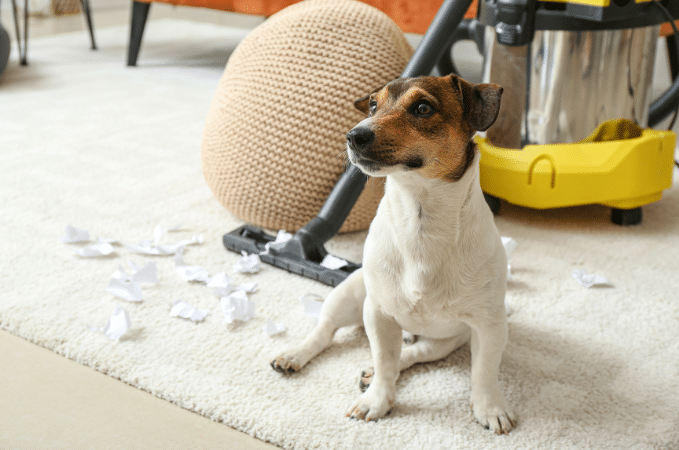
{"points": [[539, 35]]}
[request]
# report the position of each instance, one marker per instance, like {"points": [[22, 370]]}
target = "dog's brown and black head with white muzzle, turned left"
{"points": [[423, 124]]}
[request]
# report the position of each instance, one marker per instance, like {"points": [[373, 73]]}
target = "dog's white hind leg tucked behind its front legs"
{"points": [[424, 350]]}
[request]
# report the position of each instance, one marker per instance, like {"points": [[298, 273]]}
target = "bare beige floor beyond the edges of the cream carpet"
{"points": [[50, 402]]}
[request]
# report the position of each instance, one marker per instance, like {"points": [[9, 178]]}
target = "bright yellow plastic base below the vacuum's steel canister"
{"points": [[622, 174]]}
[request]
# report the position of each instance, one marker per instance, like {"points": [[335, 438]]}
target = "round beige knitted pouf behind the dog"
{"points": [[274, 136]]}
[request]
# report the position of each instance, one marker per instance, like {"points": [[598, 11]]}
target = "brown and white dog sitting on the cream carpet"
{"points": [[434, 264]]}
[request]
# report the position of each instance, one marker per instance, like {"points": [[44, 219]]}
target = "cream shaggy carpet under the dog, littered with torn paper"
{"points": [[86, 141]]}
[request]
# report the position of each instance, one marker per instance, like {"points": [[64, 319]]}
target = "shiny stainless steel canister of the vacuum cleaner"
{"points": [[561, 86]]}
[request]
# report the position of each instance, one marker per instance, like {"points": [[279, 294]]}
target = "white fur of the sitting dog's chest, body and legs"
{"points": [[434, 266]]}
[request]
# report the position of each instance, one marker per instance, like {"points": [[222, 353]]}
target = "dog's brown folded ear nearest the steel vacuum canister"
{"points": [[480, 102]]}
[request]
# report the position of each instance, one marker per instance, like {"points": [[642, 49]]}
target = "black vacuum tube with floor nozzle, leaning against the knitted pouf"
{"points": [[304, 253]]}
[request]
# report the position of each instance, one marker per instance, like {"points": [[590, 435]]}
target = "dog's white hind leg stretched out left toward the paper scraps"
{"points": [[343, 307]]}
